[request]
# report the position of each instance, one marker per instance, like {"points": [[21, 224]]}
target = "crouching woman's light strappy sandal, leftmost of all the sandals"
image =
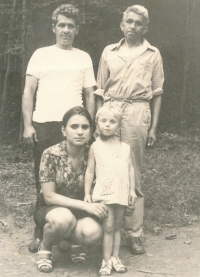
{"points": [[43, 262]]}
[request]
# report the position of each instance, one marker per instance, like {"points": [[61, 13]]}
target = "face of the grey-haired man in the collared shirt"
{"points": [[133, 26]]}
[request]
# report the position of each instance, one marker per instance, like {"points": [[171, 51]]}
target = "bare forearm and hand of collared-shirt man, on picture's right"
{"points": [[155, 112]]}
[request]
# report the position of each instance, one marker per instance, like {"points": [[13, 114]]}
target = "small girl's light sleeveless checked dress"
{"points": [[112, 174]]}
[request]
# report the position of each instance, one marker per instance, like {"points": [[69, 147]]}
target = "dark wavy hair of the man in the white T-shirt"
{"points": [[67, 10]]}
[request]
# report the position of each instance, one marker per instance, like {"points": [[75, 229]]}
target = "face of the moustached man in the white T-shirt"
{"points": [[65, 30]]}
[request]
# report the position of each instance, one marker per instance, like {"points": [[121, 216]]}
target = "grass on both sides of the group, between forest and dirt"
{"points": [[170, 183]]}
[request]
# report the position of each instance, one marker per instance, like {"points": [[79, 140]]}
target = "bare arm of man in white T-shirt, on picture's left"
{"points": [[29, 135]]}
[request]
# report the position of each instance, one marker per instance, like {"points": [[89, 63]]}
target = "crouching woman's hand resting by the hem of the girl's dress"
{"points": [[97, 209]]}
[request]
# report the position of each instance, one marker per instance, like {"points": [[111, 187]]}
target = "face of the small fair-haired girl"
{"points": [[108, 124]]}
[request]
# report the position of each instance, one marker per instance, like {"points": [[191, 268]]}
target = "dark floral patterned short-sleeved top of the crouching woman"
{"points": [[56, 167]]}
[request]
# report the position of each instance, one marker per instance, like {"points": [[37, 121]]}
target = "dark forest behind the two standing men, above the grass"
{"points": [[25, 25]]}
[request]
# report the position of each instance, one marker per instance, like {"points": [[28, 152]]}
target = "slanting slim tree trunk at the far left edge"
{"points": [[8, 67]]}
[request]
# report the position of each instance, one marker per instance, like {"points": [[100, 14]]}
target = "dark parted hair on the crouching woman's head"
{"points": [[76, 111]]}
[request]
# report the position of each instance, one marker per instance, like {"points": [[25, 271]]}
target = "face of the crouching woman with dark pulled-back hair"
{"points": [[77, 130]]}
